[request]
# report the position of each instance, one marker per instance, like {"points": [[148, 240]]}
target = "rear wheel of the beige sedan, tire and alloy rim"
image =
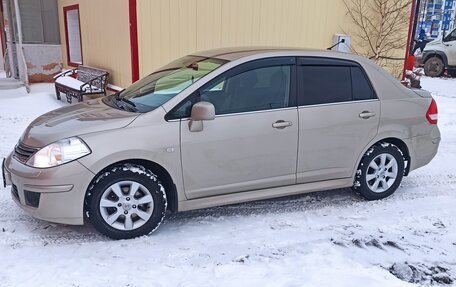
{"points": [[380, 172]]}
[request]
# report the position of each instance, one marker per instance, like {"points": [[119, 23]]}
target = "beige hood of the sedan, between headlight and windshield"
{"points": [[88, 117]]}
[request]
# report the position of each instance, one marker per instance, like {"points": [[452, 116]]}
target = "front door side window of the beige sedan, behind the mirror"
{"points": [[245, 90]]}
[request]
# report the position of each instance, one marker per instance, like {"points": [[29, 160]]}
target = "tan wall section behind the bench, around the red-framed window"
{"points": [[105, 37]]}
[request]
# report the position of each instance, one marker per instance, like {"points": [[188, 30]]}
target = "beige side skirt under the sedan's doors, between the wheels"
{"points": [[263, 194]]}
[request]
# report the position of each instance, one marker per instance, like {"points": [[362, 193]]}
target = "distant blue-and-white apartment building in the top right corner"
{"points": [[436, 16]]}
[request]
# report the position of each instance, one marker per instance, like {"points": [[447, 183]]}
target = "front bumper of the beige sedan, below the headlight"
{"points": [[53, 194]]}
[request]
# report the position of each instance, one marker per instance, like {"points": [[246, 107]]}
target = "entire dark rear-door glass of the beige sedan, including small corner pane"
{"points": [[332, 81]]}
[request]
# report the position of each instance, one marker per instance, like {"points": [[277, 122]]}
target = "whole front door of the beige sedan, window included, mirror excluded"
{"points": [[252, 143]]}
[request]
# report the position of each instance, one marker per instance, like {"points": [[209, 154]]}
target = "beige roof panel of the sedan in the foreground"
{"points": [[235, 53]]}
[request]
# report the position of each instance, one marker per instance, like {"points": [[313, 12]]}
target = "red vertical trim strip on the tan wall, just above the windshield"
{"points": [[133, 20]]}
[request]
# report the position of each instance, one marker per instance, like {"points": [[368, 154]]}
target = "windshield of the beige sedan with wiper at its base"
{"points": [[159, 87]]}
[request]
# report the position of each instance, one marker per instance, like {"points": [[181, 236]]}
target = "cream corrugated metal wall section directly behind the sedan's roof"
{"points": [[170, 29]]}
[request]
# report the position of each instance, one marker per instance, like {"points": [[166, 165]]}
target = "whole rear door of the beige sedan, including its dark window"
{"points": [[338, 116]]}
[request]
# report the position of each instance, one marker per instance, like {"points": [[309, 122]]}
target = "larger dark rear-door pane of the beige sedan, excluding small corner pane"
{"points": [[324, 84]]}
